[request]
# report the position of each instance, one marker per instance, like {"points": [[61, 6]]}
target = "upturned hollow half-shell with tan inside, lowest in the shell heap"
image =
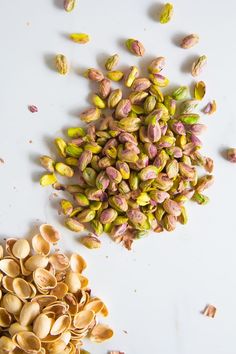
{"points": [[27, 341]]}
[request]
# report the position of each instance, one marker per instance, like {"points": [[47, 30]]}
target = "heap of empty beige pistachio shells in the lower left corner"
{"points": [[46, 304]]}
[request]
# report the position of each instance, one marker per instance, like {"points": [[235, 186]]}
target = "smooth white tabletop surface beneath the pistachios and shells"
{"points": [[156, 291]]}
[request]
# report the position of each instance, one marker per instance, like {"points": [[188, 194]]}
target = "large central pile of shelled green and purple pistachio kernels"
{"points": [[136, 163]]}
